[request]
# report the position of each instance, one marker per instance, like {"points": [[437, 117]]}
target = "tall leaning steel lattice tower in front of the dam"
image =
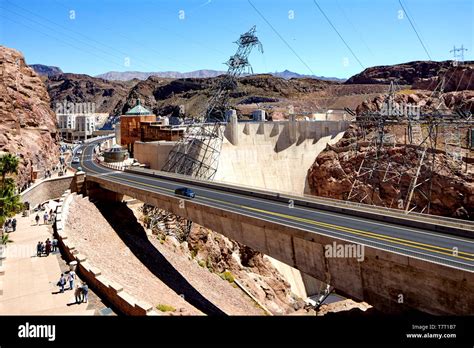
{"points": [[197, 153]]}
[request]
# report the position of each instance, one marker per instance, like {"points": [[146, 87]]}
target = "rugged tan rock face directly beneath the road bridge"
{"points": [[224, 256]]}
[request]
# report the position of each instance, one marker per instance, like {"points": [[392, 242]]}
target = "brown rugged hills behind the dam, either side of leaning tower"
{"points": [[167, 96]]}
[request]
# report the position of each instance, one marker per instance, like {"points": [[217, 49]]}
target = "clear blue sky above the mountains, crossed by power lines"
{"points": [[152, 35]]}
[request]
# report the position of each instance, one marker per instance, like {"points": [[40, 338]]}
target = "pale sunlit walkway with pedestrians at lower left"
{"points": [[29, 282]]}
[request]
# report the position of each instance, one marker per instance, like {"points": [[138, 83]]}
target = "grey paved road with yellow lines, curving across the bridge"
{"points": [[425, 244]]}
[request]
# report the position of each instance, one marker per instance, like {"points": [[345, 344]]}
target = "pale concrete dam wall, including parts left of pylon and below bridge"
{"points": [[266, 155]]}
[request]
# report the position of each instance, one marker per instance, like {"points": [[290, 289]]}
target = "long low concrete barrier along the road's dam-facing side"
{"points": [[434, 223]]}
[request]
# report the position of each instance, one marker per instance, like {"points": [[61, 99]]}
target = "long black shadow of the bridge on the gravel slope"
{"points": [[125, 224]]}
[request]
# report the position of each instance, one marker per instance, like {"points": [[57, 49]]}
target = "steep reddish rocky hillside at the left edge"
{"points": [[27, 123]]}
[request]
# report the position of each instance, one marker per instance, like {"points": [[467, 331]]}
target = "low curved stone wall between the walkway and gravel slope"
{"points": [[105, 288]]}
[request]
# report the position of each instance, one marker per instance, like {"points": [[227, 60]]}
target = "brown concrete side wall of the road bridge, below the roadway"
{"points": [[386, 280]]}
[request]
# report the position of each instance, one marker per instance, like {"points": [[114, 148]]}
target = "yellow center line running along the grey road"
{"points": [[395, 240]]}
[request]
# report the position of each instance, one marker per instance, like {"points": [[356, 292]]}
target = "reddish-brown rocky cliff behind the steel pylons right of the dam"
{"points": [[334, 171]]}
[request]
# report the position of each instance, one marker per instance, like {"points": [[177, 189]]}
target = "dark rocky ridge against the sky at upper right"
{"points": [[403, 74]]}
